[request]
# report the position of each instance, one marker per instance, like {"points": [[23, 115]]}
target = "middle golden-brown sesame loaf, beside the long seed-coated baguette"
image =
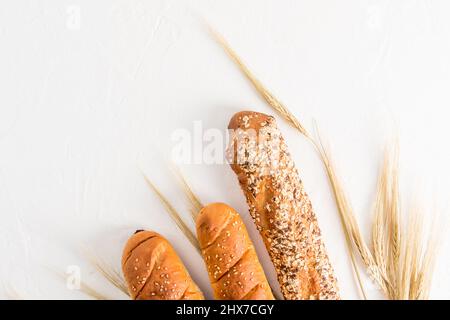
{"points": [[233, 266]]}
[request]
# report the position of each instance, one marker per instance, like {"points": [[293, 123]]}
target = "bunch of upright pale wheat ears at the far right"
{"points": [[403, 249]]}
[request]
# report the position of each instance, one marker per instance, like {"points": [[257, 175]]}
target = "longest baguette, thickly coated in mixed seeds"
{"points": [[280, 207]]}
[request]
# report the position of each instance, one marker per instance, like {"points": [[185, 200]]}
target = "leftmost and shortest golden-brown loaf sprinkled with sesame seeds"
{"points": [[153, 270]]}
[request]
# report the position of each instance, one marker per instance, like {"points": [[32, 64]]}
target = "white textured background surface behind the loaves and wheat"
{"points": [[91, 90]]}
